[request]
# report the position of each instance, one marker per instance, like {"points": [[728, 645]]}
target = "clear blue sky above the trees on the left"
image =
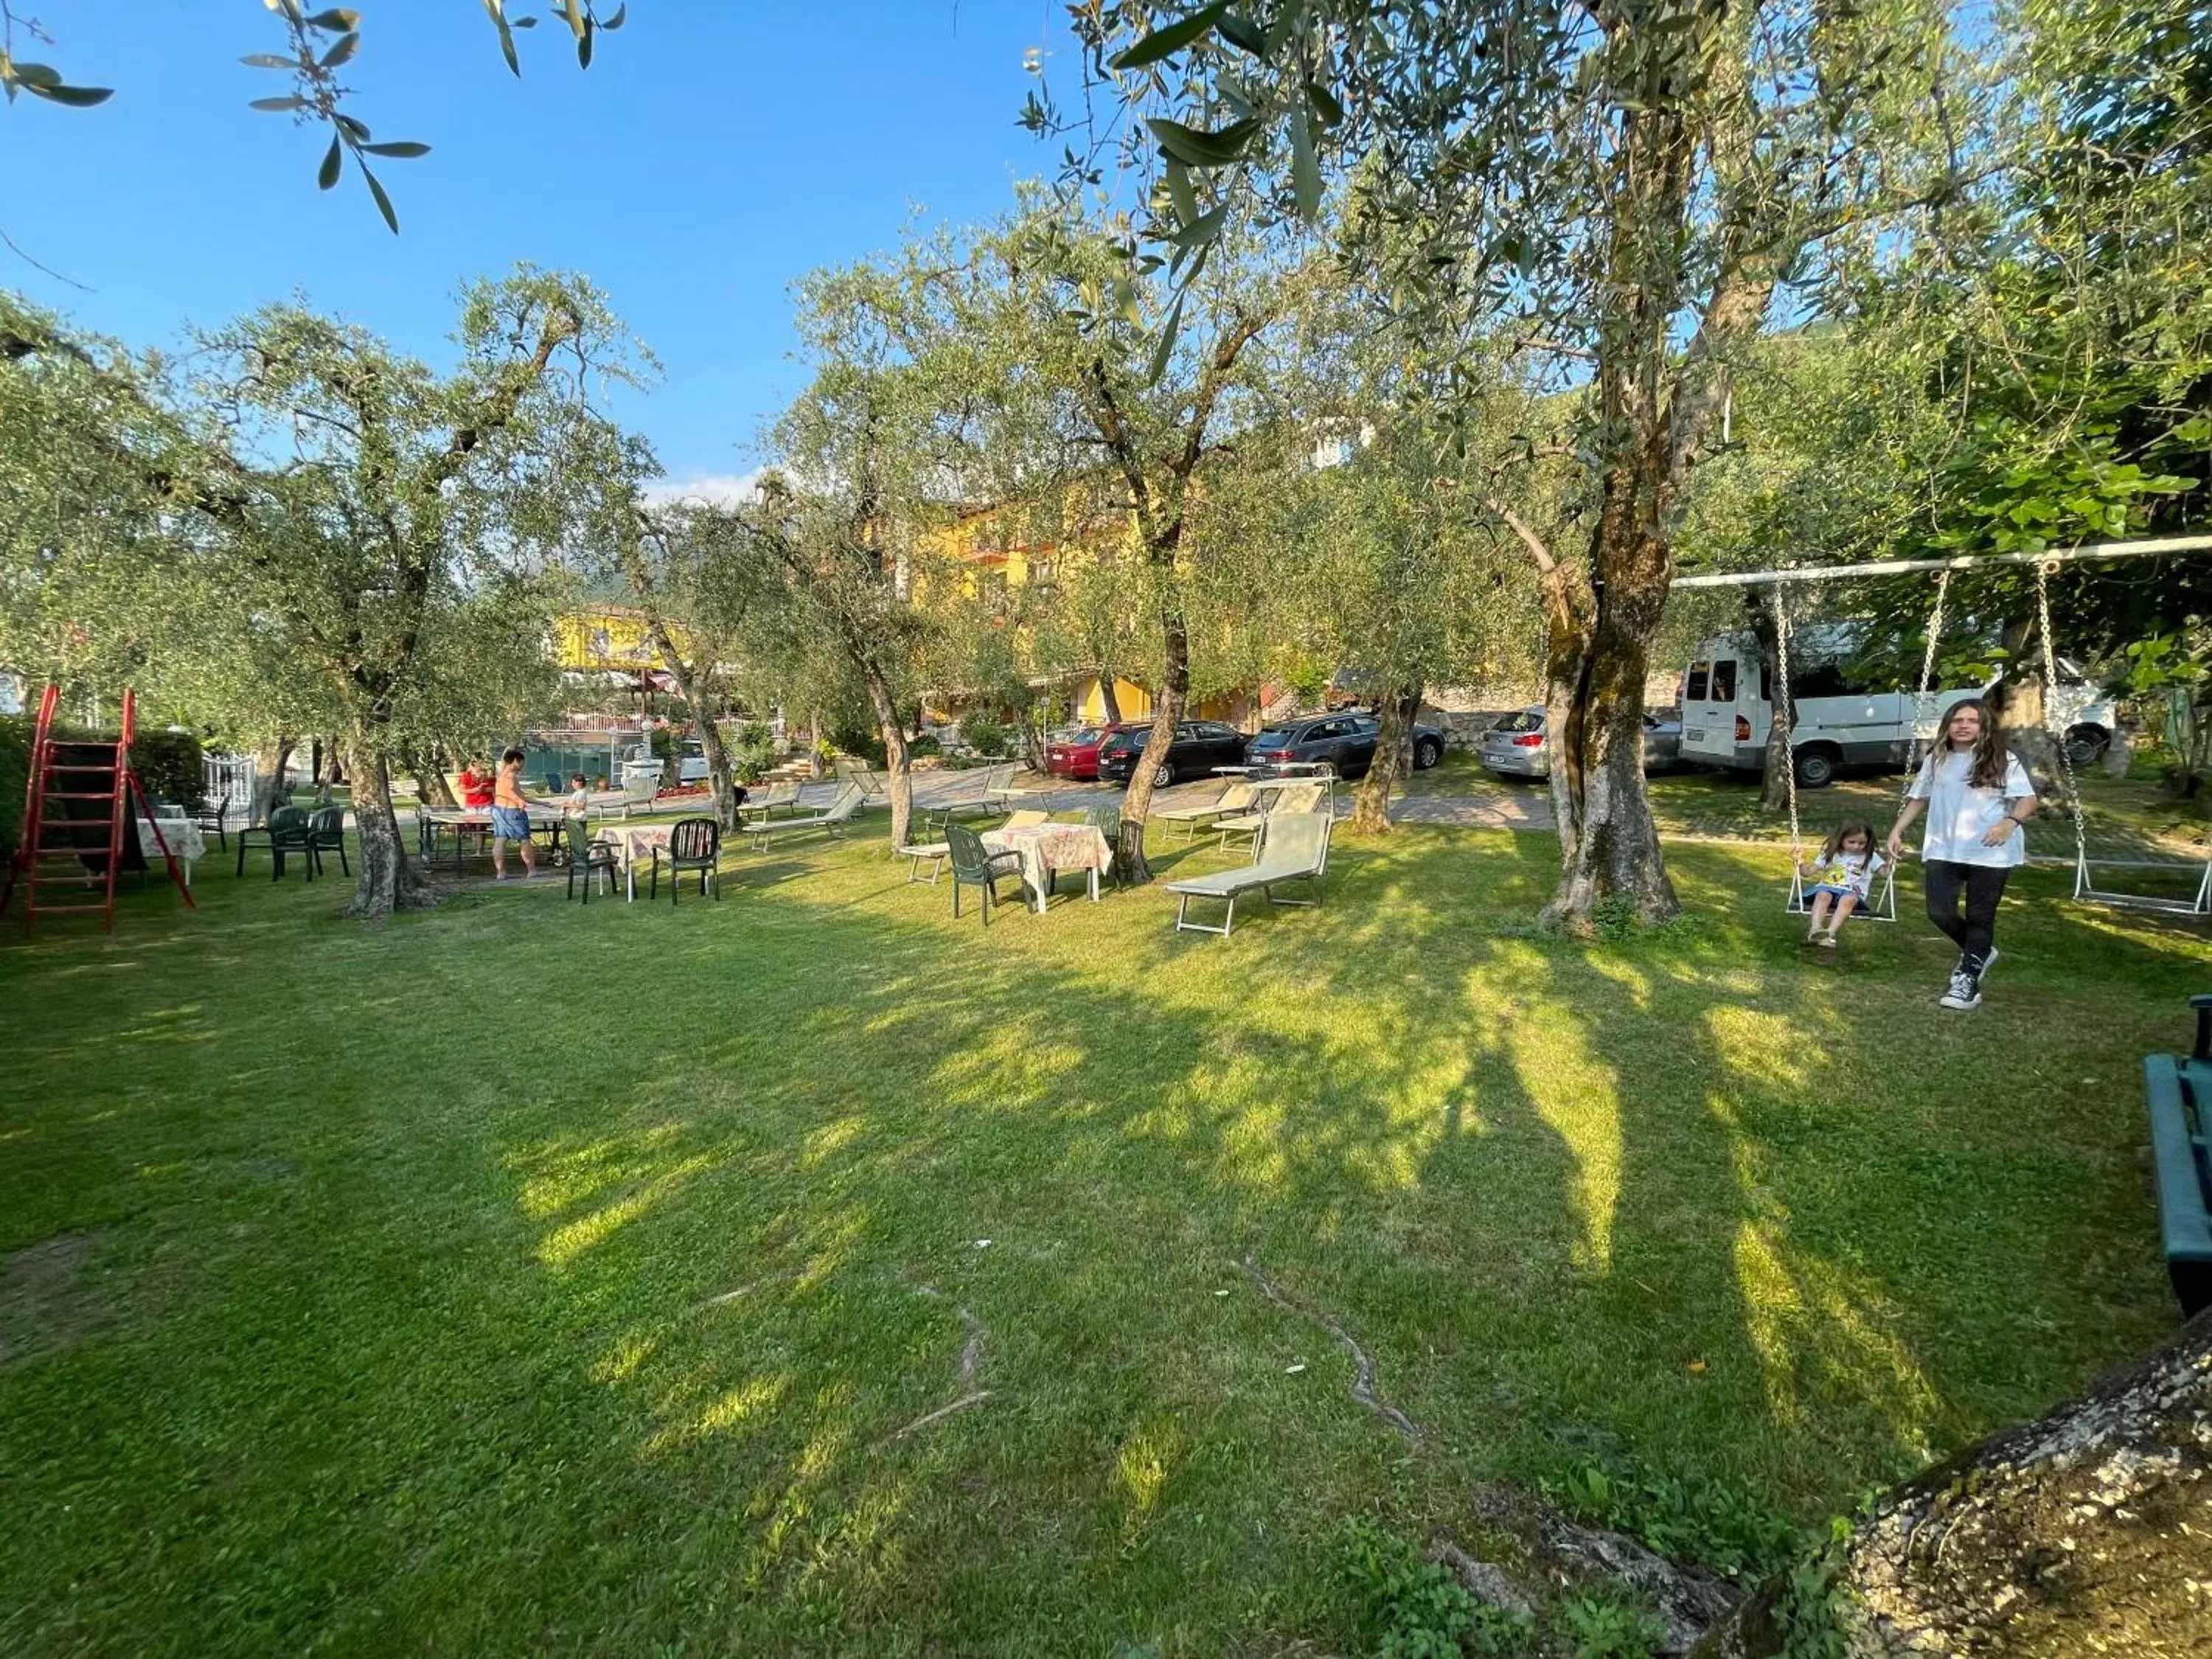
{"points": [[713, 154]]}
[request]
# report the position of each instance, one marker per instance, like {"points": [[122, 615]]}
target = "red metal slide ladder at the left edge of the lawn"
{"points": [[74, 822]]}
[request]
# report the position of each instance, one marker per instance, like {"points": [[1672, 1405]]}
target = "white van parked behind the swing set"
{"points": [[1729, 689]]}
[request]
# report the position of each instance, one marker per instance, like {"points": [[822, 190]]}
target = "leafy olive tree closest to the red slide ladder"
{"points": [[384, 528]]}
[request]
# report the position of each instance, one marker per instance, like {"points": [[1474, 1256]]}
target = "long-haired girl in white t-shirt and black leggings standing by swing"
{"points": [[1976, 795]]}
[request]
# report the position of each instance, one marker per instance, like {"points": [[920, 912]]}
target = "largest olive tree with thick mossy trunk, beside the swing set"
{"points": [[1623, 191]]}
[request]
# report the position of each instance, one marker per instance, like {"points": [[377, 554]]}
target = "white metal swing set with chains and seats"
{"points": [[1886, 906]]}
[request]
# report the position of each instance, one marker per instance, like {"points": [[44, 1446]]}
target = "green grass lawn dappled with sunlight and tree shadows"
{"points": [[525, 1277]]}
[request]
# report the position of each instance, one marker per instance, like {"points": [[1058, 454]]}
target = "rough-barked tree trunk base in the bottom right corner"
{"points": [[2083, 1534]]}
